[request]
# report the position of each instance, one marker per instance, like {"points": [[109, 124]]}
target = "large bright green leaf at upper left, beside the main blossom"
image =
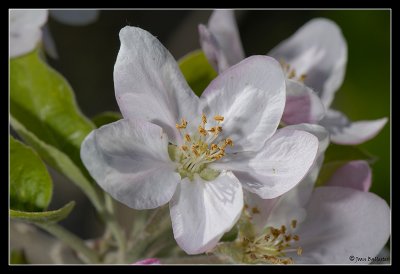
{"points": [[43, 101]]}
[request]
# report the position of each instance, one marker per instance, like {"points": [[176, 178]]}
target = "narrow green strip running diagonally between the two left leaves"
{"points": [[58, 160]]}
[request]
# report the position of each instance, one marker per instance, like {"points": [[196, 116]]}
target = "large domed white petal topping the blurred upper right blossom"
{"points": [[318, 50]]}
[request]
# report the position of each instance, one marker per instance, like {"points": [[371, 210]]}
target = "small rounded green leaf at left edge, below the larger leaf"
{"points": [[30, 184]]}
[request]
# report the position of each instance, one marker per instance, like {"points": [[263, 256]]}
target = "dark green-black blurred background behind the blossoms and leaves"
{"points": [[86, 57]]}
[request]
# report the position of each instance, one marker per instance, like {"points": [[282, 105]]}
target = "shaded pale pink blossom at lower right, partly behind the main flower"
{"points": [[325, 225]]}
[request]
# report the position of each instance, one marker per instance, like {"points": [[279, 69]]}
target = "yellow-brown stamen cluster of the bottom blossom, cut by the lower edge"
{"points": [[271, 246]]}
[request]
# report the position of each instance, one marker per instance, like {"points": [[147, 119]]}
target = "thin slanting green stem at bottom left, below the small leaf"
{"points": [[72, 241]]}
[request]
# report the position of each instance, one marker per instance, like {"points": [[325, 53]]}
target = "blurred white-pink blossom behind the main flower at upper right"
{"points": [[314, 57]]}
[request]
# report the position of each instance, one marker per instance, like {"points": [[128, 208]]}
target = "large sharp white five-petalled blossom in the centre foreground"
{"points": [[196, 153]]}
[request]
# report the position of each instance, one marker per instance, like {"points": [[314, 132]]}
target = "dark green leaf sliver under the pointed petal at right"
{"points": [[337, 153]]}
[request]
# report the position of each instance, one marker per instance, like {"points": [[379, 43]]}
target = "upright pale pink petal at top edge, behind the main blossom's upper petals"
{"points": [[223, 28]]}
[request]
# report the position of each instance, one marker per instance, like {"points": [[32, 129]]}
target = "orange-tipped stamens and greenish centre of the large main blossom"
{"points": [[200, 148]]}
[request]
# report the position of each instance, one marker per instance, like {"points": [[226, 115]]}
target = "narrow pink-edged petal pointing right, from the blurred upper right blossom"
{"points": [[345, 132]]}
